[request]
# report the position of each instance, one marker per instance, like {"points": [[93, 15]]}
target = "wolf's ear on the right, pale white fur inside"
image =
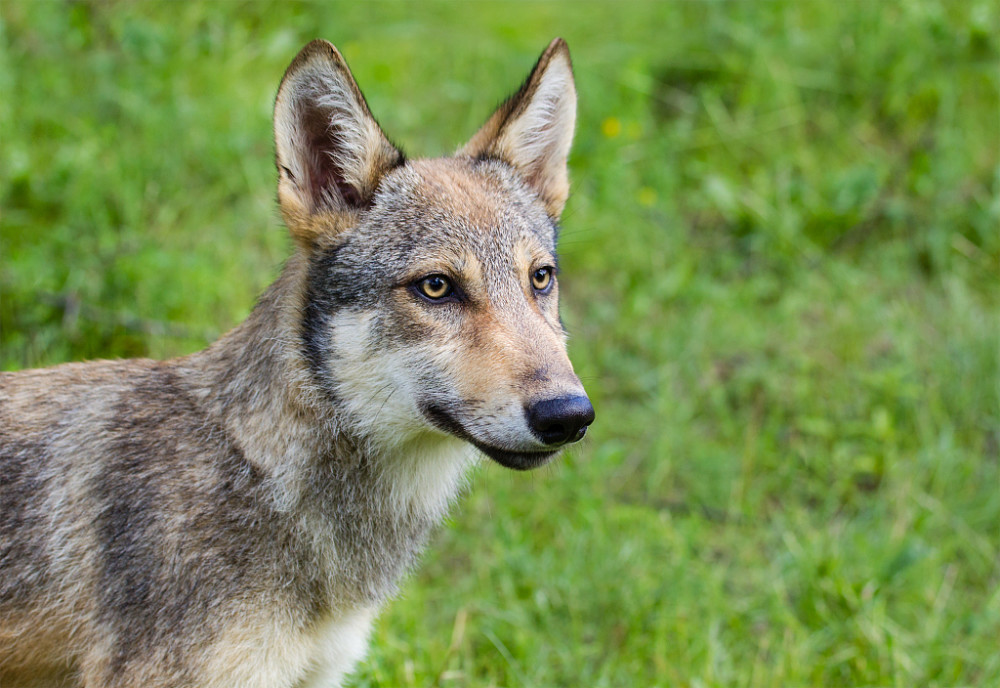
{"points": [[533, 129]]}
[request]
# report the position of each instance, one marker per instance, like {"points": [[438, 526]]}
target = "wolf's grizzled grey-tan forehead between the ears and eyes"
{"points": [[442, 206]]}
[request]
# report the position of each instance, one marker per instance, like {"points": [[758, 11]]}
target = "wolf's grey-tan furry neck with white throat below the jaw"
{"points": [[257, 384]]}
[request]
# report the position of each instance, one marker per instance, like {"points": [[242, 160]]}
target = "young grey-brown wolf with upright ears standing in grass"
{"points": [[237, 517]]}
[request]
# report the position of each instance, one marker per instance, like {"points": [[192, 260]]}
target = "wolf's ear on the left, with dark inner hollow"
{"points": [[331, 153]]}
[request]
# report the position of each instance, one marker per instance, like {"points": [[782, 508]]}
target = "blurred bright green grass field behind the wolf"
{"points": [[781, 273]]}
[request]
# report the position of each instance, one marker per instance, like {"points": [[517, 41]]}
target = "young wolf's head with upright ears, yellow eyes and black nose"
{"points": [[431, 298]]}
